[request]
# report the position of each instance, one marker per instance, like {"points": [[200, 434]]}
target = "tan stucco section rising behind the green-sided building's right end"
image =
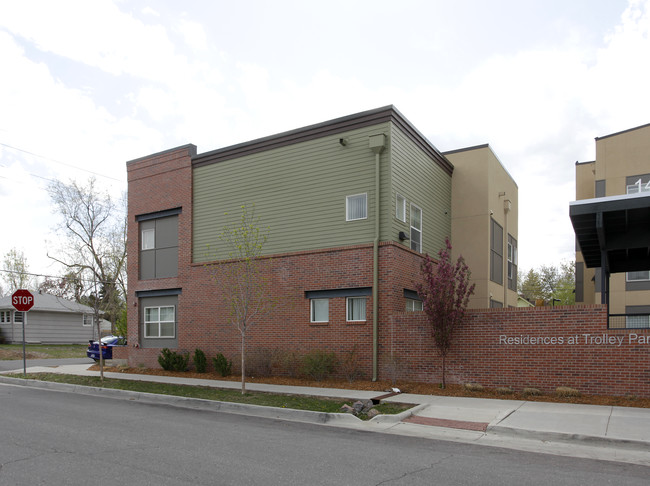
{"points": [[484, 224]]}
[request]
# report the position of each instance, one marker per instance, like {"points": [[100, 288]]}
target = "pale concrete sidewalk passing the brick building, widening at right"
{"points": [[603, 432]]}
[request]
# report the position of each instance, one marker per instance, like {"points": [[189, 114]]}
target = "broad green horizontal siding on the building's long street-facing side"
{"points": [[298, 191]]}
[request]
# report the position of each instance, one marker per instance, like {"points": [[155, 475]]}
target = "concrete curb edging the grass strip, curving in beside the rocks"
{"points": [[291, 414]]}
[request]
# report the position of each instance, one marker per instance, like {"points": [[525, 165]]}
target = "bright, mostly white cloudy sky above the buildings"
{"points": [[88, 85]]}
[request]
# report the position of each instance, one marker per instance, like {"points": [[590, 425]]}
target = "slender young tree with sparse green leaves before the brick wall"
{"points": [[242, 279]]}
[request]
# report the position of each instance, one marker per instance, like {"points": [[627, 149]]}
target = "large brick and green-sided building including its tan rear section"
{"points": [[352, 205]]}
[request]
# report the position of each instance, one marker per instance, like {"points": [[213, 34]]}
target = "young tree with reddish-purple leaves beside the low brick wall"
{"points": [[445, 291]]}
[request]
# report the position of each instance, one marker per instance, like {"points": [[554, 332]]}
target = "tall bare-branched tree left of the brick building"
{"points": [[94, 229]]}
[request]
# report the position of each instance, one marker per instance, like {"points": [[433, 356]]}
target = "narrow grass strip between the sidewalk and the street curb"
{"points": [[297, 402]]}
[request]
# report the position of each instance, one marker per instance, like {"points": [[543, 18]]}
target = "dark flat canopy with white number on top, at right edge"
{"points": [[613, 232]]}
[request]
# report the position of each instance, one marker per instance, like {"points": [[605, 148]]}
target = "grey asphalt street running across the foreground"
{"points": [[57, 438]]}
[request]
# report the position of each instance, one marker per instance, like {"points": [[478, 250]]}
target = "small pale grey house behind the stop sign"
{"points": [[52, 320]]}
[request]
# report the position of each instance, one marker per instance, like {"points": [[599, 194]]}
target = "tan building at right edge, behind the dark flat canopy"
{"points": [[622, 166]]}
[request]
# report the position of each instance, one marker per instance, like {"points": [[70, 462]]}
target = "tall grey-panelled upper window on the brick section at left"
{"points": [[159, 244]]}
